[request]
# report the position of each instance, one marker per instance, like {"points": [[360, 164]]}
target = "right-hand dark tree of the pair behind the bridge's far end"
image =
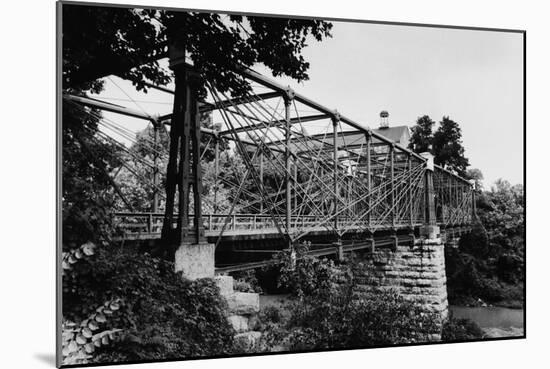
{"points": [[447, 147]]}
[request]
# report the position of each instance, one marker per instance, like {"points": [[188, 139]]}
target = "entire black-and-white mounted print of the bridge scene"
{"points": [[239, 184]]}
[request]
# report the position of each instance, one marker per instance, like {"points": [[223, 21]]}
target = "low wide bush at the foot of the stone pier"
{"points": [[347, 320]]}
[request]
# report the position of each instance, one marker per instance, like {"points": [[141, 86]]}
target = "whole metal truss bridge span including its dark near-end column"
{"points": [[277, 165]]}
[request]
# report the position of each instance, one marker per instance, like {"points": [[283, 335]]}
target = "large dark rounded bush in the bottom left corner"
{"points": [[162, 316]]}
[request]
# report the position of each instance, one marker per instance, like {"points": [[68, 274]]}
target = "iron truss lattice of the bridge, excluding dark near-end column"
{"points": [[308, 169]]}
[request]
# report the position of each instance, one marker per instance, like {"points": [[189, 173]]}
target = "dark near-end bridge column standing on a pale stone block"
{"points": [[193, 256]]}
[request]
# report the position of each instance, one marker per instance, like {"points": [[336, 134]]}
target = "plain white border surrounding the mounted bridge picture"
{"points": [[28, 182]]}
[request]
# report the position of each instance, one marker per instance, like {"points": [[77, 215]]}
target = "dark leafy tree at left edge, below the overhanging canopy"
{"points": [[87, 187]]}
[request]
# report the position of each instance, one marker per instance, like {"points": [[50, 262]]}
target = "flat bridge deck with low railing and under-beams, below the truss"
{"points": [[249, 227]]}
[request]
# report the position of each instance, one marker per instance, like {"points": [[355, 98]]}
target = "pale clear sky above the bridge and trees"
{"points": [[474, 77]]}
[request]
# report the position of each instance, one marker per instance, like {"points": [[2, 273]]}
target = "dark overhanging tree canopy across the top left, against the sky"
{"points": [[100, 41]]}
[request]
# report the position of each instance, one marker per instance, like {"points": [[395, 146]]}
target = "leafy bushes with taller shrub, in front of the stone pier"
{"points": [[327, 311]]}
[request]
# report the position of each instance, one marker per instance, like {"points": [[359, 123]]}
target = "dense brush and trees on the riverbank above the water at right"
{"points": [[488, 265]]}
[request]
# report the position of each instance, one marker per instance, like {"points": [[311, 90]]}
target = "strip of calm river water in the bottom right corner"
{"points": [[495, 321]]}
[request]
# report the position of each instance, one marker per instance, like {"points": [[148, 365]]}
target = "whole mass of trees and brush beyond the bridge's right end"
{"points": [[488, 266]]}
